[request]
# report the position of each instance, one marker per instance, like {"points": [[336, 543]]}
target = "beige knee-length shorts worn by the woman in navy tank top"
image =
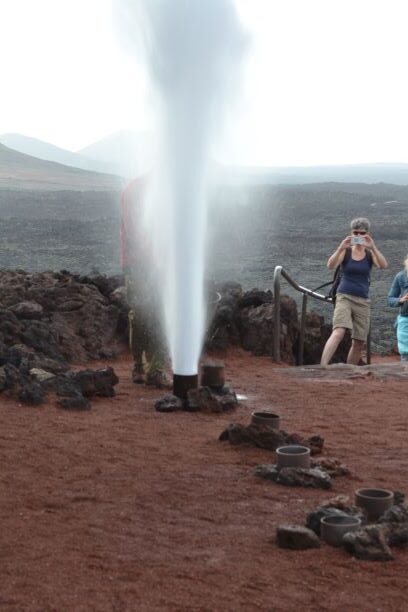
{"points": [[353, 313]]}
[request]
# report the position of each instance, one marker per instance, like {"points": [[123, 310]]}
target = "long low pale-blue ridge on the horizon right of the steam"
{"points": [[396, 174]]}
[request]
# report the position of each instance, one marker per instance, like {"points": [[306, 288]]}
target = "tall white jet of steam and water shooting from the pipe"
{"points": [[192, 49]]}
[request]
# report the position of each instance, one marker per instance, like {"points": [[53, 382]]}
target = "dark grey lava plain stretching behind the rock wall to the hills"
{"points": [[251, 230]]}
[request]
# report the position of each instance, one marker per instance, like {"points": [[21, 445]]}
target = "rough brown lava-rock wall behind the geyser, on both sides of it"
{"points": [[74, 319]]}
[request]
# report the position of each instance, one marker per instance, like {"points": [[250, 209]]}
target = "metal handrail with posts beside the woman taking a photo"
{"points": [[280, 271]]}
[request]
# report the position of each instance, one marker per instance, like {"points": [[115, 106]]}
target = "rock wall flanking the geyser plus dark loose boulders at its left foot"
{"points": [[50, 320]]}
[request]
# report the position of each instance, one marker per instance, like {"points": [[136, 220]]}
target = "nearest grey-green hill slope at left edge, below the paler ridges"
{"points": [[20, 171]]}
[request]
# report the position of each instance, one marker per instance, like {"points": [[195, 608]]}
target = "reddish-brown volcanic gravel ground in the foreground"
{"points": [[123, 508]]}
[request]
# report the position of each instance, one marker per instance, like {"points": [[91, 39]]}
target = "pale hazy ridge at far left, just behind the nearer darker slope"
{"points": [[45, 150]]}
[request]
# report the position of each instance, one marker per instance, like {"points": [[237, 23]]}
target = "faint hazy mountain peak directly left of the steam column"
{"points": [[126, 152]]}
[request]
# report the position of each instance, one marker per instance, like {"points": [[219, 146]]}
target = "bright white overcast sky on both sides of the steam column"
{"points": [[324, 81]]}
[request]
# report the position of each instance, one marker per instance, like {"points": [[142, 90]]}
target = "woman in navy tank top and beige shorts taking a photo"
{"points": [[356, 255]]}
